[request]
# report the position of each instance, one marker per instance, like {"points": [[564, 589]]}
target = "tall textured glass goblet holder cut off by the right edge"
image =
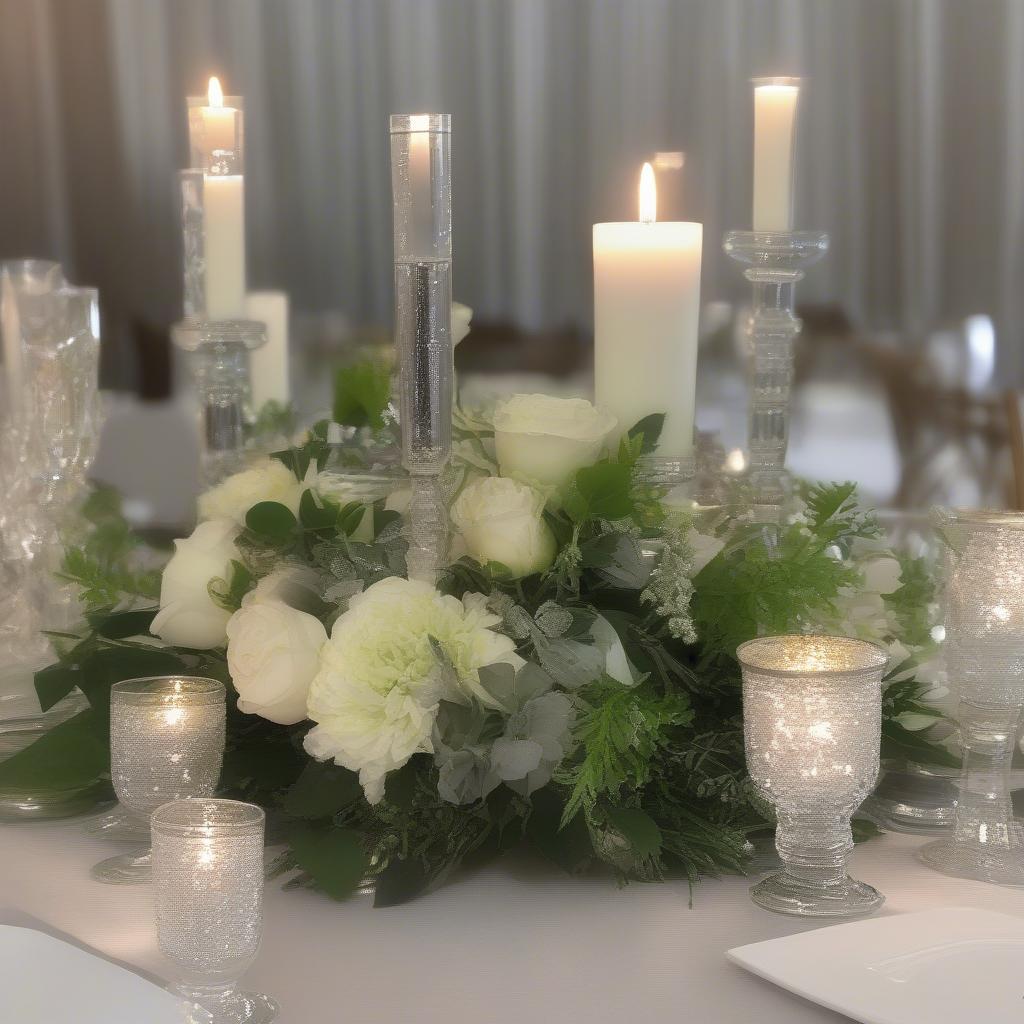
{"points": [[985, 605]]}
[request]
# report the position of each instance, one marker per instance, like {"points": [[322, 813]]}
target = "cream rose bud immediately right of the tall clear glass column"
{"points": [[502, 521]]}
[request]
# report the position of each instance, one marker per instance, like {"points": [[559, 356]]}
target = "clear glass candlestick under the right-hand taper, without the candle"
{"points": [[774, 263]]}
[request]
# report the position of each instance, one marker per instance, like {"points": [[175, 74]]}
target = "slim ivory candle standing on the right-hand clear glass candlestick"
{"points": [[775, 124]]}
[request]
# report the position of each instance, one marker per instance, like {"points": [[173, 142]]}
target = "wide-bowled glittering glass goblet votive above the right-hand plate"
{"points": [[813, 720]]}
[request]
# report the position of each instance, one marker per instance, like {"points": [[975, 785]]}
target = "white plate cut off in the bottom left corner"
{"points": [[46, 982]]}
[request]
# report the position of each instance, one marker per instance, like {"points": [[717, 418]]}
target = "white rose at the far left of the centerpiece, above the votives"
{"points": [[188, 616]]}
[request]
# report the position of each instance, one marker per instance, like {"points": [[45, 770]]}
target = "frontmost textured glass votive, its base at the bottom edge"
{"points": [[208, 869]]}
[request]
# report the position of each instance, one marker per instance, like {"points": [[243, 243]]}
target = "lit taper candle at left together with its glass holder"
{"points": [[217, 328]]}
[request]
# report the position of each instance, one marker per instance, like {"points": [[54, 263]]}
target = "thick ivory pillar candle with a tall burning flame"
{"points": [[647, 305]]}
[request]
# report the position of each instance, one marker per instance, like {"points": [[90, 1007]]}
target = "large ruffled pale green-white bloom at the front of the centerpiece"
{"points": [[375, 698]]}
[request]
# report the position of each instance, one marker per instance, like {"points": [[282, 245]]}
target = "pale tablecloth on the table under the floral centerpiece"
{"points": [[515, 943]]}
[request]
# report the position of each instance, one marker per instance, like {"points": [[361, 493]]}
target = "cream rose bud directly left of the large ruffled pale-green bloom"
{"points": [[273, 656]]}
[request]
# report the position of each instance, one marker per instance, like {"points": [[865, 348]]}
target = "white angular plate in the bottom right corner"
{"points": [[952, 966]]}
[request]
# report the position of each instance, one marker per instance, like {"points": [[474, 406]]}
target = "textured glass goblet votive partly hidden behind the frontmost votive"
{"points": [[167, 743]]}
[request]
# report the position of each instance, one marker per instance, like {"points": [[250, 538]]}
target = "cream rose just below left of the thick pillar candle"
{"points": [[544, 441]]}
